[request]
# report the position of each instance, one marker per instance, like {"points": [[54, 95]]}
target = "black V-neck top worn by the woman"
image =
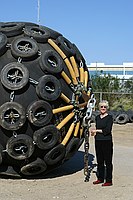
{"points": [[105, 124]]}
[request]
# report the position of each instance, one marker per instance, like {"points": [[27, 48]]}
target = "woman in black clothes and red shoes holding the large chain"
{"points": [[103, 144]]}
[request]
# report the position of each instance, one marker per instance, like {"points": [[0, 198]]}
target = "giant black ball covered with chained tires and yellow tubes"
{"points": [[43, 77]]}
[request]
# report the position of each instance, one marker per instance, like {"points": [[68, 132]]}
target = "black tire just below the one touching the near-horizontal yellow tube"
{"points": [[46, 137]]}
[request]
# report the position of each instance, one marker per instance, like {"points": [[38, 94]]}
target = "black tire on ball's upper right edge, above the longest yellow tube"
{"points": [[66, 46]]}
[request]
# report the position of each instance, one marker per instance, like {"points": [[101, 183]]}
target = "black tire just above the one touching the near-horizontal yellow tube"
{"points": [[48, 88]]}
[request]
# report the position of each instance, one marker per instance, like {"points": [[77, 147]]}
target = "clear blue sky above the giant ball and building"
{"points": [[101, 29]]}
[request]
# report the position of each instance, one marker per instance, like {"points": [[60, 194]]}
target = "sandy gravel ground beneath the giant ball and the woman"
{"points": [[67, 182]]}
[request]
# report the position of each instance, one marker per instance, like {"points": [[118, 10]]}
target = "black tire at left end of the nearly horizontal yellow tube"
{"points": [[39, 113]]}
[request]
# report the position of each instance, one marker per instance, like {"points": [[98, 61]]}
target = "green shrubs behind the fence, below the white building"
{"points": [[119, 92]]}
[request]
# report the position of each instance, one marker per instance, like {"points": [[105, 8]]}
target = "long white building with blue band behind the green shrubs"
{"points": [[124, 71]]}
